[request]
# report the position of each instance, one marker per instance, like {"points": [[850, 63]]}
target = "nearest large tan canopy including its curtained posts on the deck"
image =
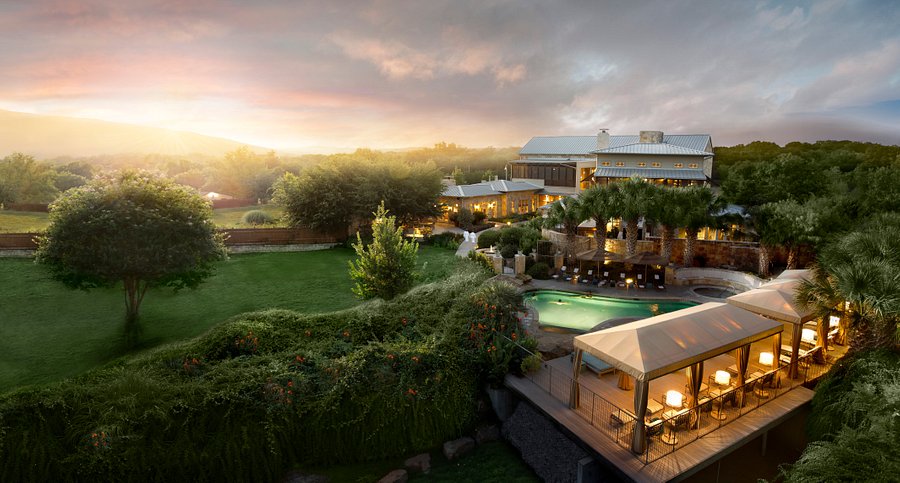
{"points": [[653, 347]]}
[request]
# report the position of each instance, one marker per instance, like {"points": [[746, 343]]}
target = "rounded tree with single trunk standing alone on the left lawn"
{"points": [[132, 228]]}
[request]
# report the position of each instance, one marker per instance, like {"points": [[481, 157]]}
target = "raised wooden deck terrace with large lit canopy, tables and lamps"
{"points": [[662, 397]]}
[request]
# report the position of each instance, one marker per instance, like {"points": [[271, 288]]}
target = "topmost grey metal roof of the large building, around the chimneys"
{"points": [[585, 145]]}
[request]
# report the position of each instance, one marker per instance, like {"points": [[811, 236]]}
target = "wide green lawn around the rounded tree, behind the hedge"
{"points": [[48, 332]]}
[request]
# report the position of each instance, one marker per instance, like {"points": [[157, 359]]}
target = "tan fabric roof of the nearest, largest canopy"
{"points": [[653, 347]]}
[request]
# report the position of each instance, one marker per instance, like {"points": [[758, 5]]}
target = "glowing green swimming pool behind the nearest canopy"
{"points": [[581, 313]]}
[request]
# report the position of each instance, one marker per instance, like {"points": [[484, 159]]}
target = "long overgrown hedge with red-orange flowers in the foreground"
{"points": [[267, 390]]}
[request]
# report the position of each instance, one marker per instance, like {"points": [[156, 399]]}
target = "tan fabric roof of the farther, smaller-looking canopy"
{"points": [[776, 301]]}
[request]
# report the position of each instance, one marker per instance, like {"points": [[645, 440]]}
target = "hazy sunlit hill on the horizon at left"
{"points": [[53, 136]]}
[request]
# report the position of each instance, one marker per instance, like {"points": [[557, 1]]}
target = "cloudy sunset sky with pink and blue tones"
{"points": [[332, 76]]}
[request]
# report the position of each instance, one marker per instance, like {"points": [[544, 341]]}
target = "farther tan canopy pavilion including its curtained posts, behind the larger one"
{"points": [[776, 300]]}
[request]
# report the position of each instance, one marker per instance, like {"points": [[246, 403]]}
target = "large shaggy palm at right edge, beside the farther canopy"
{"points": [[861, 269]]}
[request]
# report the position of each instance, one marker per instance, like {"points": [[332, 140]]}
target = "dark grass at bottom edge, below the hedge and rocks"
{"points": [[490, 462]]}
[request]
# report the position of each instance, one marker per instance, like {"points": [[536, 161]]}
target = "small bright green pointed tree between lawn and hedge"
{"points": [[386, 267]]}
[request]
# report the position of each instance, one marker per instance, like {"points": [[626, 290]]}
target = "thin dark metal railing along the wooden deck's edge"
{"points": [[672, 428]]}
